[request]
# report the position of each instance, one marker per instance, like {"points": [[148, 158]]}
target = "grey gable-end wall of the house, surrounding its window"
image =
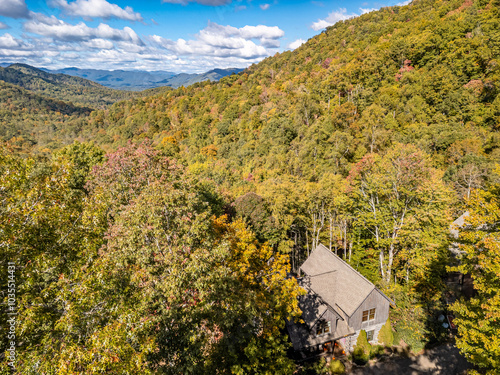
{"points": [[374, 300]]}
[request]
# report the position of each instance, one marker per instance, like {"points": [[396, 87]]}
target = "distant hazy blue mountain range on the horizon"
{"points": [[141, 80]]}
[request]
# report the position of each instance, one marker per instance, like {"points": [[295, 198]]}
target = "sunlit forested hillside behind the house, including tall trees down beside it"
{"points": [[368, 138]]}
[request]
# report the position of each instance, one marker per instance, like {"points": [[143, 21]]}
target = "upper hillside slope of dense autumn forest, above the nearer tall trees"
{"points": [[427, 74]]}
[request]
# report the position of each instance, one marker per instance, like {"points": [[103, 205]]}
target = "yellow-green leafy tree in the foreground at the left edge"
{"points": [[43, 232]]}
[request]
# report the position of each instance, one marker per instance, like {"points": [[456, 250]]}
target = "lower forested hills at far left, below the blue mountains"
{"points": [[42, 112]]}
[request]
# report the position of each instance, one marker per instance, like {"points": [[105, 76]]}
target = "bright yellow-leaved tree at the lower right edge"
{"points": [[478, 319]]}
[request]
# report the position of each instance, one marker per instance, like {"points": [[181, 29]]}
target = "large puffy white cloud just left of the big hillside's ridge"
{"points": [[225, 41]]}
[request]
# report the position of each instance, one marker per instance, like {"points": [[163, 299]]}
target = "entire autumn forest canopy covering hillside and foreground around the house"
{"points": [[370, 138]]}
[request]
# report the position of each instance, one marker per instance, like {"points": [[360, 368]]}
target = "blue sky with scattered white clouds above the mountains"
{"points": [[171, 35]]}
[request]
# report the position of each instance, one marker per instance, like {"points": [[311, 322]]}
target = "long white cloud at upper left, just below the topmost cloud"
{"points": [[60, 30]]}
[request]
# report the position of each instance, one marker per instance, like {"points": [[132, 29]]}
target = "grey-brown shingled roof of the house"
{"points": [[345, 287]]}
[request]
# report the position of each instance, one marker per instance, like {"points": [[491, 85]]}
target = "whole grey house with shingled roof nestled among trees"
{"points": [[339, 303]]}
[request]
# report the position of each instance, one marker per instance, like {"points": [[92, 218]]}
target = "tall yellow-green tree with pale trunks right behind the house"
{"points": [[401, 203]]}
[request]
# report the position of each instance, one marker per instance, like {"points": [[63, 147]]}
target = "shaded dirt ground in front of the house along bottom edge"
{"points": [[442, 360]]}
